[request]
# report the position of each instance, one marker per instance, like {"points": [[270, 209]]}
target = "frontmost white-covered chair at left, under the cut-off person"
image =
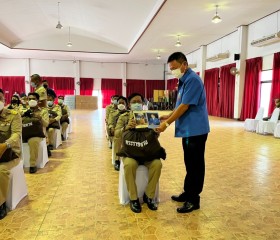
{"points": [[17, 188]]}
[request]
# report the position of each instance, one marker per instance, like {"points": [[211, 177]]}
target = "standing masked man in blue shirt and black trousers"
{"points": [[192, 125]]}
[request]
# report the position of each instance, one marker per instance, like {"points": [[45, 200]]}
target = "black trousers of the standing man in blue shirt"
{"points": [[194, 149]]}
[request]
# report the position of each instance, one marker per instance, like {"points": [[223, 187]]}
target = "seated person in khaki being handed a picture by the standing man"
{"points": [[125, 123]]}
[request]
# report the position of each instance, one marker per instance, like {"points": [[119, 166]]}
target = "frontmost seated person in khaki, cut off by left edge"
{"points": [[10, 133]]}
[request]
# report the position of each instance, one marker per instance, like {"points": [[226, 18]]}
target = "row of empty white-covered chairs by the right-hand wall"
{"points": [[272, 126]]}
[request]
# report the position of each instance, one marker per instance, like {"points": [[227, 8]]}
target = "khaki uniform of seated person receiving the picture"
{"points": [[131, 165]]}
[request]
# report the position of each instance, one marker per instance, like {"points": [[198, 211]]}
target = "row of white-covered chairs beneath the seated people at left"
{"points": [[18, 187]]}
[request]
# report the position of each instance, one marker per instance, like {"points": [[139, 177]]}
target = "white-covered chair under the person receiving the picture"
{"points": [[141, 183]]}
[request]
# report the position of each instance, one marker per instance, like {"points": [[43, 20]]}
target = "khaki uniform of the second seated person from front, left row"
{"points": [[34, 142]]}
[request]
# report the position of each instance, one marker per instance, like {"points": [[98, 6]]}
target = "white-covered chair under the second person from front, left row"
{"points": [[42, 154]]}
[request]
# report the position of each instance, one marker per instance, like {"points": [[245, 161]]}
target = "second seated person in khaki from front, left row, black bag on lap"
{"points": [[39, 119]]}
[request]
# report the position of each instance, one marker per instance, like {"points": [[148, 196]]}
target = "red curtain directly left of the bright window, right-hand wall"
{"points": [[251, 96]]}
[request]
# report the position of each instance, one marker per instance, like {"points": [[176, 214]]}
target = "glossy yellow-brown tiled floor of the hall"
{"points": [[76, 195]]}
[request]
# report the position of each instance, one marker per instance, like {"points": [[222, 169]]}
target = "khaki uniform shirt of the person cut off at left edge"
{"points": [[11, 128]]}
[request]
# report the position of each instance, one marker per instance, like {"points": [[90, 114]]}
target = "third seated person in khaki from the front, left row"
{"points": [[54, 120]]}
